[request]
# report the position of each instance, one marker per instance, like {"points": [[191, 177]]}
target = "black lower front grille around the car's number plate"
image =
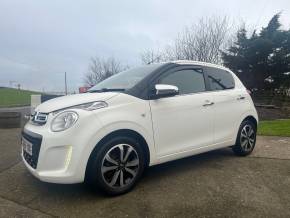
{"points": [[36, 143]]}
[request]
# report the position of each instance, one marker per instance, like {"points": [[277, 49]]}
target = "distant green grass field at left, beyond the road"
{"points": [[14, 97]]}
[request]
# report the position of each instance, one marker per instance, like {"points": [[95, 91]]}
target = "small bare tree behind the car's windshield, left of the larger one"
{"points": [[100, 69]]}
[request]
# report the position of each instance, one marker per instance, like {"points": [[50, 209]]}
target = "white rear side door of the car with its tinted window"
{"points": [[228, 107]]}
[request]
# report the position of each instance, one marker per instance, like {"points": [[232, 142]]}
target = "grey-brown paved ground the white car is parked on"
{"points": [[215, 184]]}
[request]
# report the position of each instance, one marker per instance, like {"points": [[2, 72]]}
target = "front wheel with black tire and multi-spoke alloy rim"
{"points": [[108, 173]]}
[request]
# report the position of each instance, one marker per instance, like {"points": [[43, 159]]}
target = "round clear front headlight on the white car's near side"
{"points": [[64, 121]]}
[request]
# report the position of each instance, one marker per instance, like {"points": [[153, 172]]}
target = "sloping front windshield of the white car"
{"points": [[124, 80]]}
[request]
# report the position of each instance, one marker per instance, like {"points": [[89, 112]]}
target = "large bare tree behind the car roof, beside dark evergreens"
{"points": [[202, 41]]}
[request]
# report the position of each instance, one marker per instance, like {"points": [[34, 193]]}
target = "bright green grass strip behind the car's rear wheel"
{"points": [[274, 128]]}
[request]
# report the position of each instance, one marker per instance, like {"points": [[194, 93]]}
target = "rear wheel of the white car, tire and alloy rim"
{"points": [[246, 138]]}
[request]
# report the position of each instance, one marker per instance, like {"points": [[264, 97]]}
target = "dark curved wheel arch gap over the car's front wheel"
{"points": [[121, 132]]}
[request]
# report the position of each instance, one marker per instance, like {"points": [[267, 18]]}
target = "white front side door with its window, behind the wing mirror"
{"points": [[185, 121]]}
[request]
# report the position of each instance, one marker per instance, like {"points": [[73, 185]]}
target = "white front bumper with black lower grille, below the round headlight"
{"points": [[62, 156]]}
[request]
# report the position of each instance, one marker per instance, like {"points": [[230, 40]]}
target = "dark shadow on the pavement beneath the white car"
{"points": [[151, 175]]}
